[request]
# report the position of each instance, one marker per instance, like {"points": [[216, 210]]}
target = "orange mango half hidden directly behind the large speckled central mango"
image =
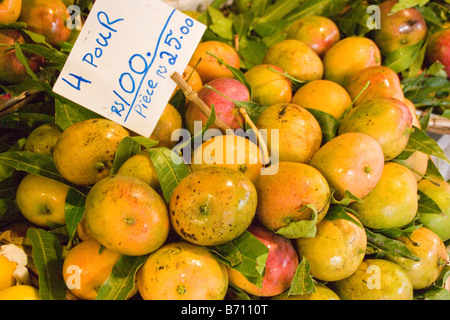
{"points": [[232, 151]]}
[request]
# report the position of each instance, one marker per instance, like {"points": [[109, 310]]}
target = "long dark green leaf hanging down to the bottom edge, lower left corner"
{"points": [[47, 256]]}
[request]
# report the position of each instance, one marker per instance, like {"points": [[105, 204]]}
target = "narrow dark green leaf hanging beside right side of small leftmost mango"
{"points": [[74, 210]]}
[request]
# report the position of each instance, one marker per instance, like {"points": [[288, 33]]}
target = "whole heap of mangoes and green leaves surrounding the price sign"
{"points": [[311, 171]]}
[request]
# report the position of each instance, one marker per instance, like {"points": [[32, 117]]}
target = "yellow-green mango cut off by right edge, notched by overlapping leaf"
{"points": [[439, 192]]}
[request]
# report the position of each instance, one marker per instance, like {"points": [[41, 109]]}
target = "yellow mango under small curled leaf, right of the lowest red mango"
{"points": [[337, 249]]}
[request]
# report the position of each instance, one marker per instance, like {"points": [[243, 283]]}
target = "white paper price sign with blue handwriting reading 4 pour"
{"points": [[122, 61]]}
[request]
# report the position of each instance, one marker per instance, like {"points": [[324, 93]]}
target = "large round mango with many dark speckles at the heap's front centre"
{"points": [[212, 206]]}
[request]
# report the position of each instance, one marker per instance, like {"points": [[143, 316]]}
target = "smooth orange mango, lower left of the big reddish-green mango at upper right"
{"points": [[349, 56]]}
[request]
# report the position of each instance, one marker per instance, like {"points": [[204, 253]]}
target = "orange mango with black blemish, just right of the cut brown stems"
{"points": [[293, 133]]}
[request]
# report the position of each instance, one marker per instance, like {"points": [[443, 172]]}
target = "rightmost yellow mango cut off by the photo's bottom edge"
{"points": [[394, 283]]}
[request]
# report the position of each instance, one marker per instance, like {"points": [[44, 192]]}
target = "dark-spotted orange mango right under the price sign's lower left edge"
{"points": [[85, 151]]}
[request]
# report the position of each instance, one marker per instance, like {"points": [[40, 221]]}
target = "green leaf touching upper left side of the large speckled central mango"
{"points": [[170, 169]]}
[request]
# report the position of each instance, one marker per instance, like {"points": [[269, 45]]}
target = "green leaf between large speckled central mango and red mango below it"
{"points": [[246, 254]]}
